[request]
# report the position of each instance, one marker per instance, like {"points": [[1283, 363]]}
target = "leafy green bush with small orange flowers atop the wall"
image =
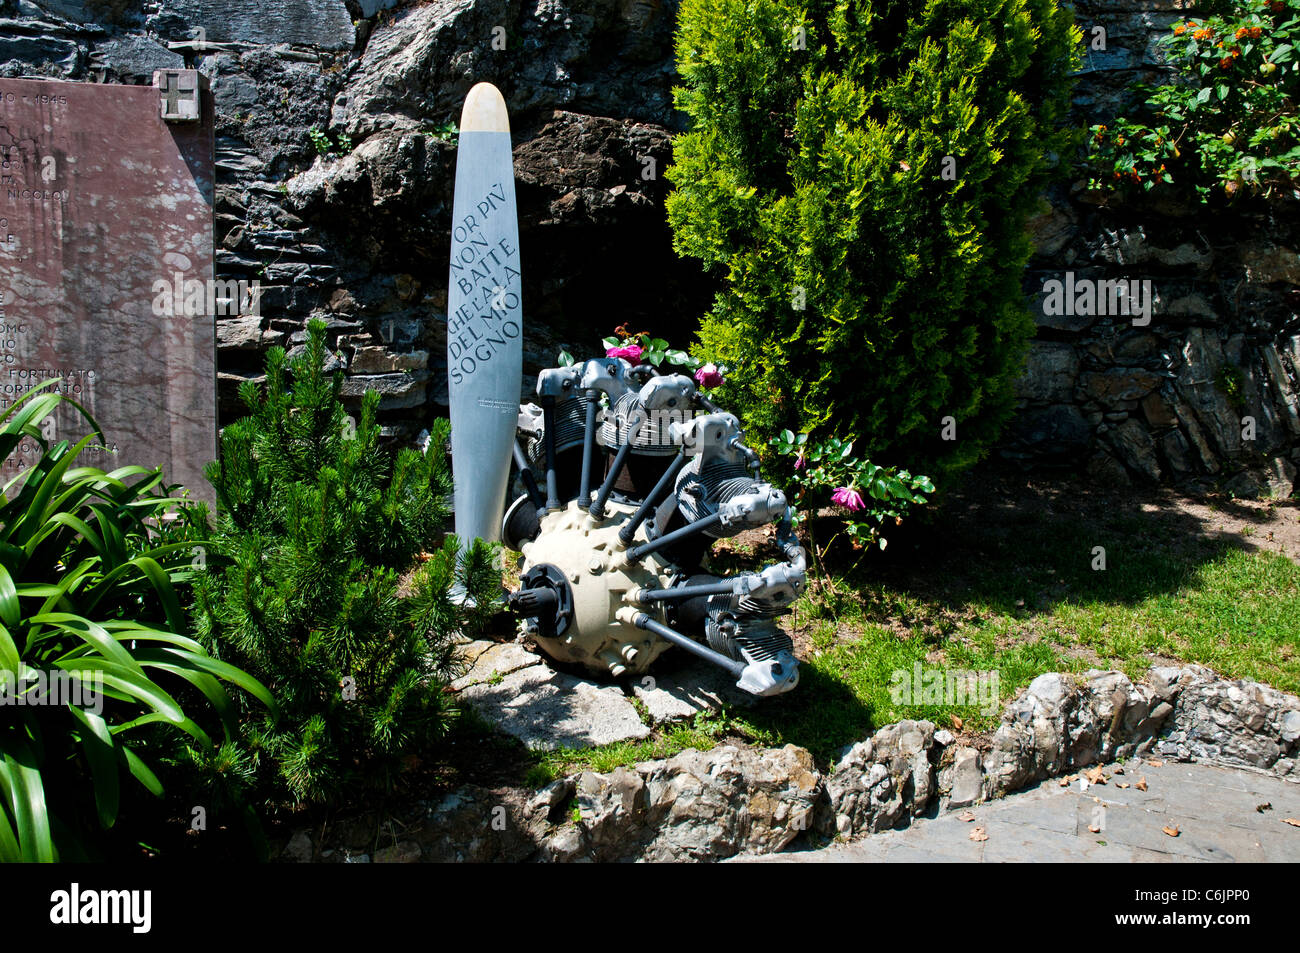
{"points": [[1230, 122]]}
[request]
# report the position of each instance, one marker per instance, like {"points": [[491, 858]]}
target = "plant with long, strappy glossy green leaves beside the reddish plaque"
{"points": [[90, 570]]}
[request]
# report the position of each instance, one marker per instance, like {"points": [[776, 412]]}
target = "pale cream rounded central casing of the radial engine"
{"points": [[592, 558]]}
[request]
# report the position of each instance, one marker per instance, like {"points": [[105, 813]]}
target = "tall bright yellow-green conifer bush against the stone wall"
{"points": [[861, 176]]}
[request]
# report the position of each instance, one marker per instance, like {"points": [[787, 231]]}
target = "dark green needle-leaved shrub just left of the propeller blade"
{"points": [[317, 584]]}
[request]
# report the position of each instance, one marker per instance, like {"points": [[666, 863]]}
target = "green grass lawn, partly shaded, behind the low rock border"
{"points": [[1007, 581]]}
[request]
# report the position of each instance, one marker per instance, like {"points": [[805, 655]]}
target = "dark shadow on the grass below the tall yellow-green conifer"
{"points": [[1020, 548]]}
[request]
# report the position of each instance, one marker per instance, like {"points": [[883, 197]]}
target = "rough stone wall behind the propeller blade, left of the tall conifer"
{"points": [[361, 236]]}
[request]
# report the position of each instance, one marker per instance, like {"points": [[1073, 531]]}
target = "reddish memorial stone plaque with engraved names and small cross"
{"points": [[106, 267]]}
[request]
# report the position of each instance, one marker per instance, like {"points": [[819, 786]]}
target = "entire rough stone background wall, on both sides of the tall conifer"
{"points": [[361, 236]]}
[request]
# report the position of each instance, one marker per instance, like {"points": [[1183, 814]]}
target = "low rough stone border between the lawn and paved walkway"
{"points": [[730, 800]]}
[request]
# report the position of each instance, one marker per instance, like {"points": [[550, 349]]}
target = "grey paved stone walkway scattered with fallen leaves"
{"points": [[1216, 812]]}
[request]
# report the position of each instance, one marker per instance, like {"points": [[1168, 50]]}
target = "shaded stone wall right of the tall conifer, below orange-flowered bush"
{"points": [[1176, 400]]}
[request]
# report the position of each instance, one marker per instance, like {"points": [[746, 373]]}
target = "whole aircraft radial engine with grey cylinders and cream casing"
{"points": [[625, 482]]}
